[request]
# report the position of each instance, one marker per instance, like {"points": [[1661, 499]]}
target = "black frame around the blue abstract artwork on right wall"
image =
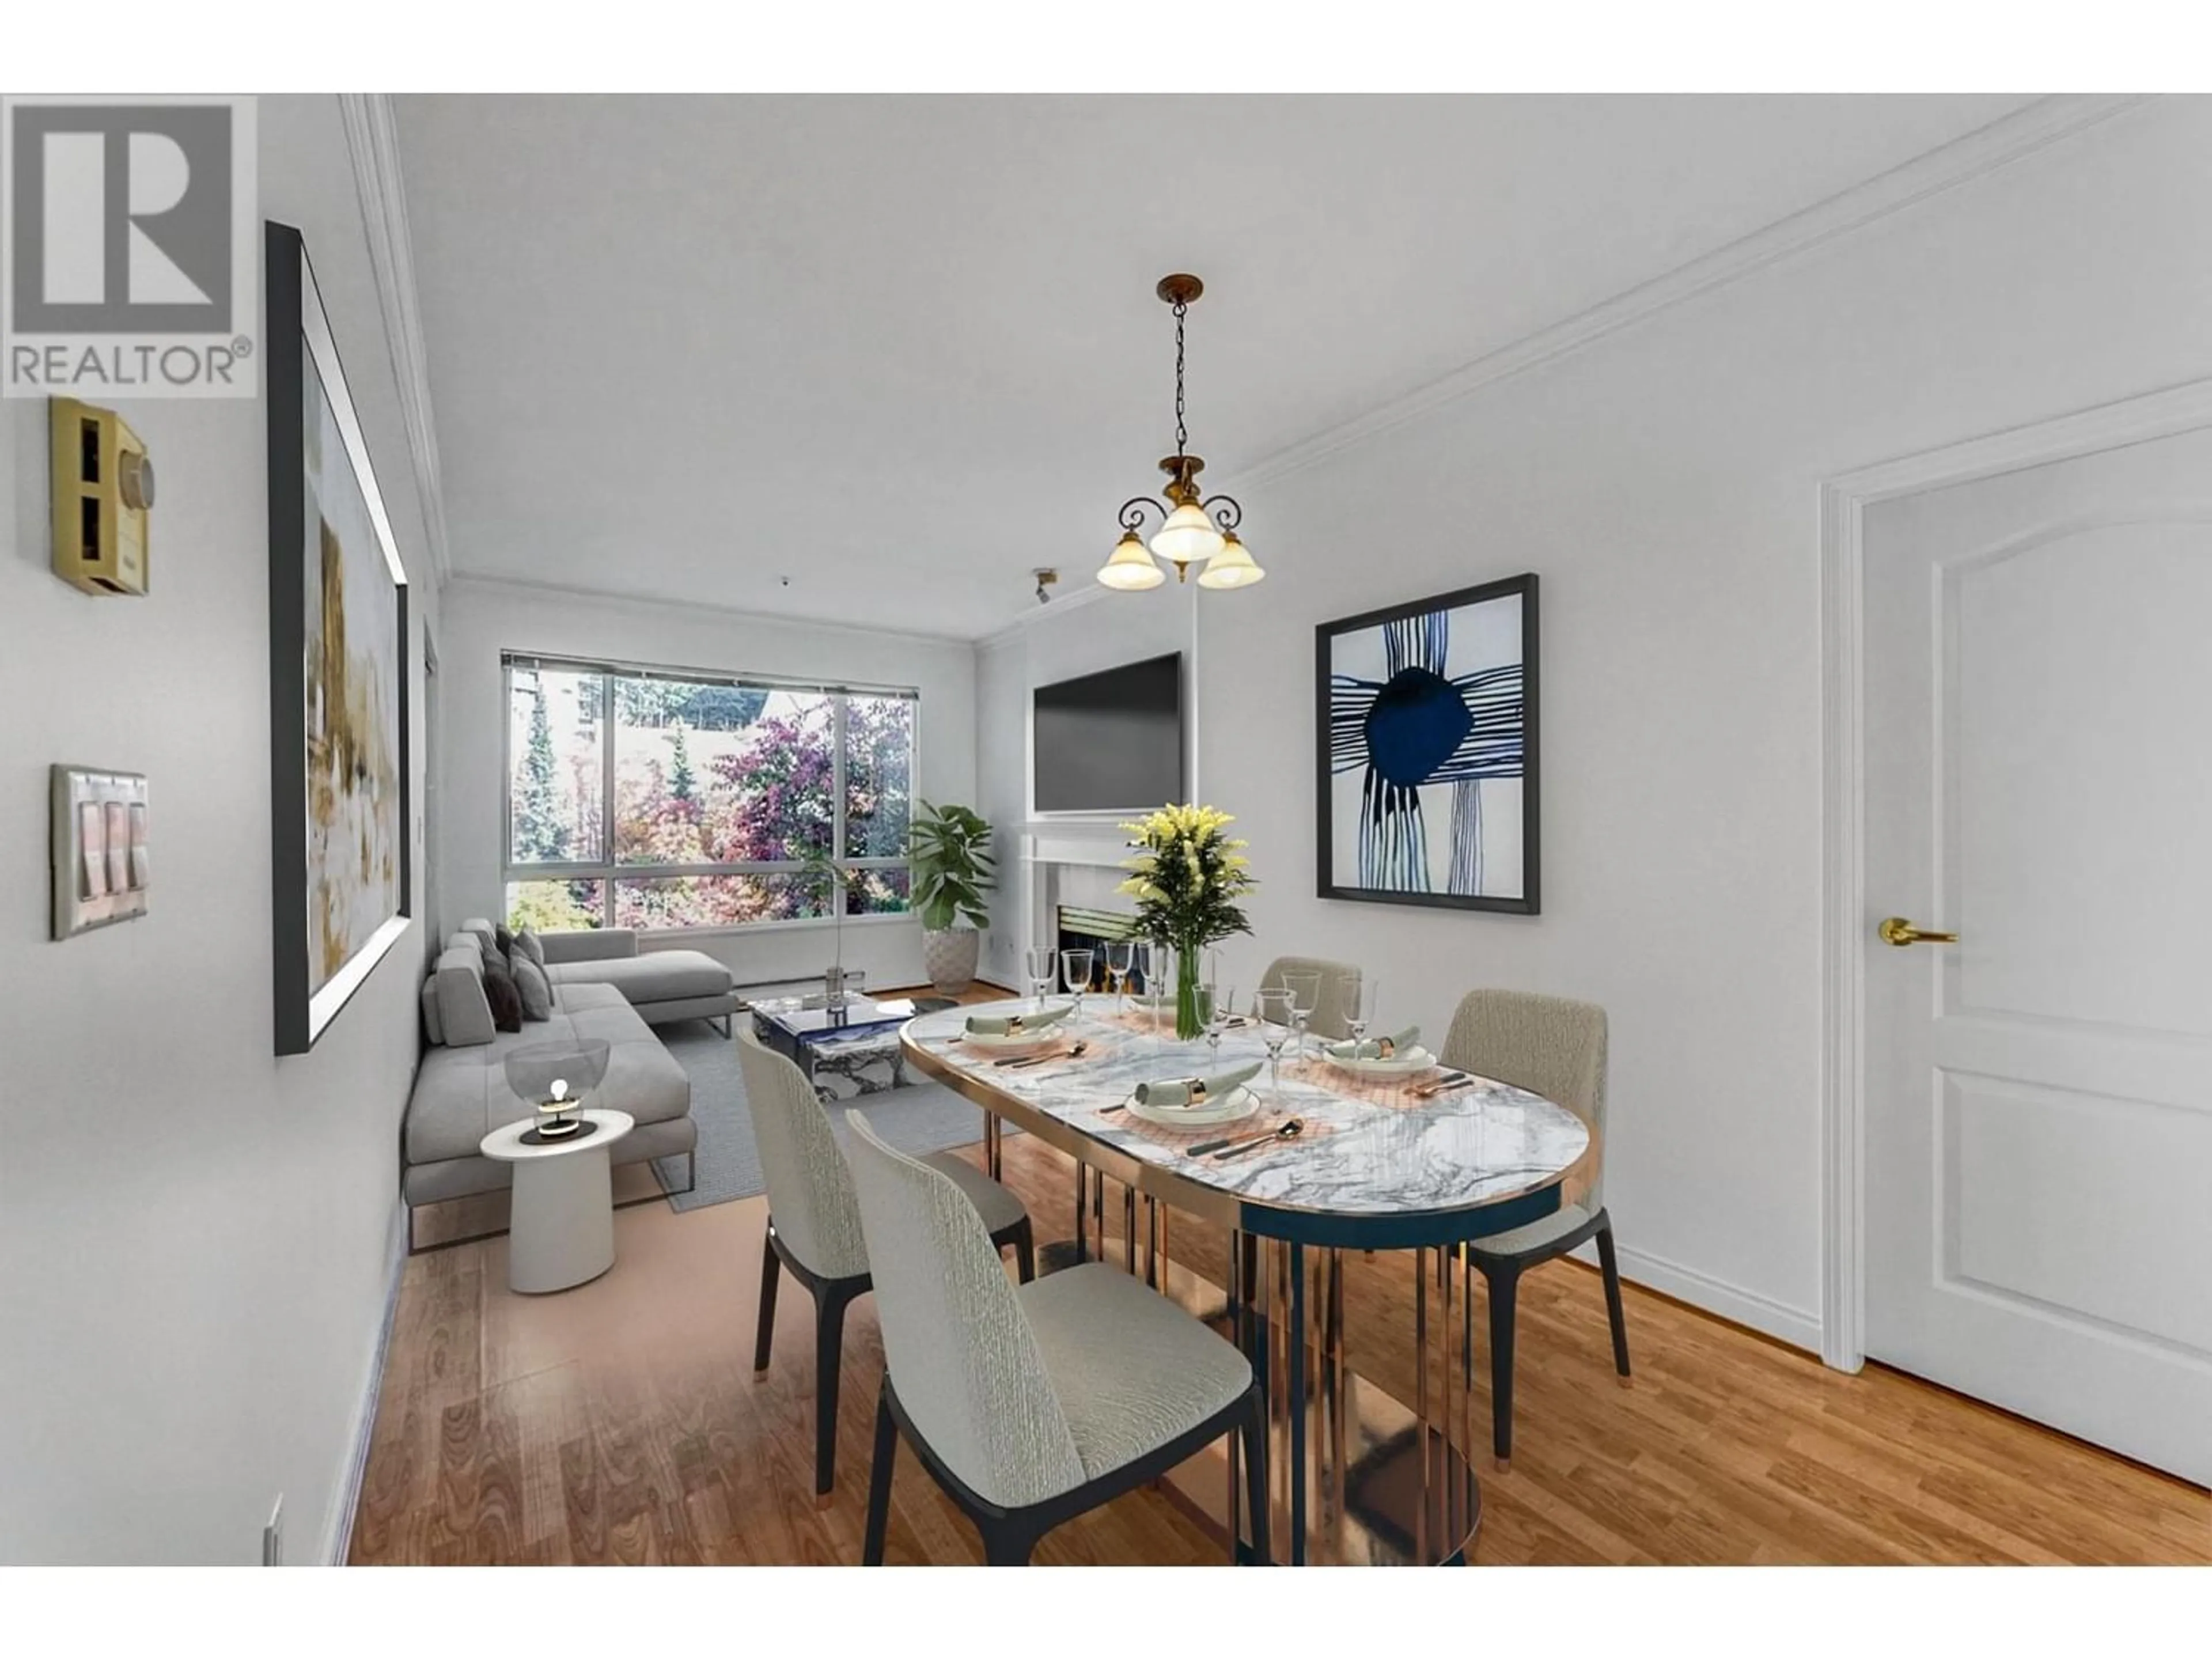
{"points": [[1335, 740]]}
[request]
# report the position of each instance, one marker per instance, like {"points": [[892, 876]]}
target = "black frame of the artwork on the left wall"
{"points": [[300, 340]]}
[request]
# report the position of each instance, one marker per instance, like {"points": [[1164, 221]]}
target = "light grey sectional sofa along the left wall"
{"points": [[461, 1089]]}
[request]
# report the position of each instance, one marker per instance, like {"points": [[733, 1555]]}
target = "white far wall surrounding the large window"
{"points": [[488, 618]]}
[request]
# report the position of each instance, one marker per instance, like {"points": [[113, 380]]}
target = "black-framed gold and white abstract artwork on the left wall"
{"points": [[337, 671]]}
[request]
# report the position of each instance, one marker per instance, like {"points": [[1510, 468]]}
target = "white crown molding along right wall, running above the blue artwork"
{"points": [[1979, 154]]}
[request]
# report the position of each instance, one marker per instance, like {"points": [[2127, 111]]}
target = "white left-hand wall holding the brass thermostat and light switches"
{"points": [[196, 1238]]}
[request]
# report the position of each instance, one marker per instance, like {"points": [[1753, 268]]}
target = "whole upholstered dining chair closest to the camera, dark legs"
{"points": [[1032, 1404]]}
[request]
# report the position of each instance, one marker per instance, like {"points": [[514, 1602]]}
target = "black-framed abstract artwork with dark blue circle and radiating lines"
{"points": [[1428, 751]]}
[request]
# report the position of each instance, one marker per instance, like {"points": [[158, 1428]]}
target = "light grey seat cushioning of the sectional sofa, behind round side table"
{"points": [[461, 1094]]}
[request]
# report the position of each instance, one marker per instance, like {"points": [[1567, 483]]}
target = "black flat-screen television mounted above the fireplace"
{"points": [[1112, 742]]}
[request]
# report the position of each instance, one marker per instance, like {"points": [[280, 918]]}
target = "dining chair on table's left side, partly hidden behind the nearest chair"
{"points": [[815, 1224]]}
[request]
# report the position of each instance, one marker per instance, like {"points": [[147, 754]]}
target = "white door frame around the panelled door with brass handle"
{"points": [[1844, 888]]}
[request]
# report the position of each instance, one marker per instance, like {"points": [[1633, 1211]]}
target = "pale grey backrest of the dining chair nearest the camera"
{"points": [[954, 1337]]}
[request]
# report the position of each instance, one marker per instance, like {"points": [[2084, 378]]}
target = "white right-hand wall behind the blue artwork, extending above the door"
{"points": [[1665, 486]]}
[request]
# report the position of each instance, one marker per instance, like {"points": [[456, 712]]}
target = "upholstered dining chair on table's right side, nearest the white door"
{"points": [[1558, 1050]]}
